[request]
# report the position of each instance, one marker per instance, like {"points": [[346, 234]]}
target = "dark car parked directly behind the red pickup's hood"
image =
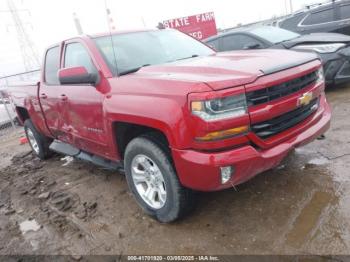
{"points": [[332, 48]]}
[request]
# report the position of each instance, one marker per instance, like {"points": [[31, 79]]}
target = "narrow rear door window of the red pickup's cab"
{"points": [[52, 65]]}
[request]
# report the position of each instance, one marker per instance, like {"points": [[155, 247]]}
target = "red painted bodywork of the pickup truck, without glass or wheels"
{"points": [[159, 97]]}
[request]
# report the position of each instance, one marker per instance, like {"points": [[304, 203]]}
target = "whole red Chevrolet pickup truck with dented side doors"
{"points": [[174, 114]]}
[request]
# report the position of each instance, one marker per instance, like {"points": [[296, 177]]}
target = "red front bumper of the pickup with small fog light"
{"points": [[201, 170]]}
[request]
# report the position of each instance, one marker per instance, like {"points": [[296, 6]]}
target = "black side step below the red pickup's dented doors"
{"points": [[67, 149]]}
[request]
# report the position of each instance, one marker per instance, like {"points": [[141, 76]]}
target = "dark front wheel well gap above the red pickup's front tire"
{"points": [[125, 132]]}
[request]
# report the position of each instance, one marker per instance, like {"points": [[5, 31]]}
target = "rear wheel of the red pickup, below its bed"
{"points": [[38, 142]]}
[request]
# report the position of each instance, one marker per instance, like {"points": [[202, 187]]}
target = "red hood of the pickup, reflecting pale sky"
{"points": [[227, 69]]}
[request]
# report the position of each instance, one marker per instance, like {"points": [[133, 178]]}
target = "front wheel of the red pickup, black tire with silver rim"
{"points": [[178, 200]]}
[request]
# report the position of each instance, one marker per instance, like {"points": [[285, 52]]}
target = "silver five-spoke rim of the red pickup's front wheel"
{"points": [[149, 181]]}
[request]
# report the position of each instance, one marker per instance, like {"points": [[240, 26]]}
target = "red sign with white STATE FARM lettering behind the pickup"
{"points": [[199, 26]]}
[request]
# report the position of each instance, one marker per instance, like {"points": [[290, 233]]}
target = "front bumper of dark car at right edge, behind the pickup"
{"points": [[337, 66]]}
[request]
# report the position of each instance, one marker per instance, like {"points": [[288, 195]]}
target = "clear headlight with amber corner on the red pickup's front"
{"points": [[221, 108]]}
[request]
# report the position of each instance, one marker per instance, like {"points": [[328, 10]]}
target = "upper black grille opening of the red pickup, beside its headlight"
{"points": [[274, 92]]}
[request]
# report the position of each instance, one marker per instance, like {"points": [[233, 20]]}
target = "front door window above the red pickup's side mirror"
{"points": [[77, 55]]}
